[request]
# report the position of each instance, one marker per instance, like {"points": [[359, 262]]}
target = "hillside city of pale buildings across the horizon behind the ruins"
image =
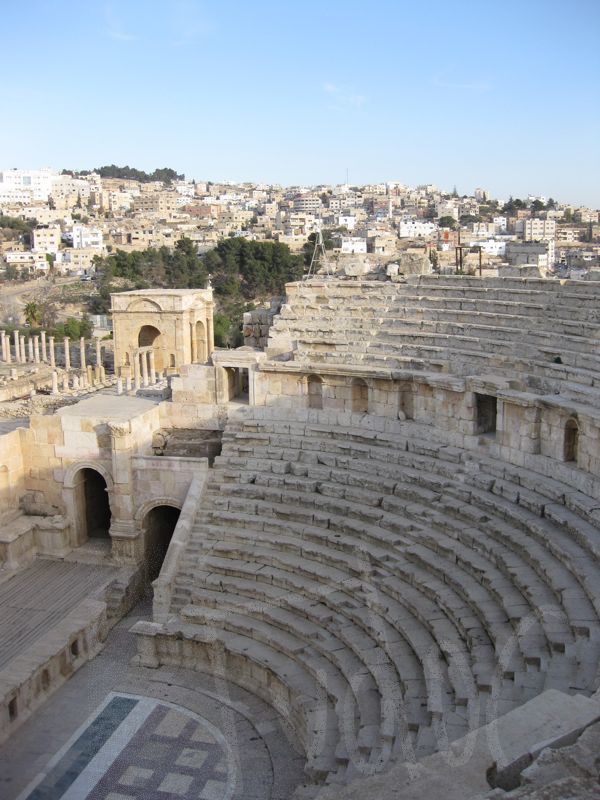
{"points": [[73, 218]]}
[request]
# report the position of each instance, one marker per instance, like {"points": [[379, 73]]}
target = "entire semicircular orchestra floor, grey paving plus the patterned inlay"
{"points": [[115, 731]]}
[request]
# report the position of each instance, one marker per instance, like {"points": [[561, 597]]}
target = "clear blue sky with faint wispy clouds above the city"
{"points": [[500, 95]]}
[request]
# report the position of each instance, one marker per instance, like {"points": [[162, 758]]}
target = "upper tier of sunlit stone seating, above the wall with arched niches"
{"points": [[534, 331]]}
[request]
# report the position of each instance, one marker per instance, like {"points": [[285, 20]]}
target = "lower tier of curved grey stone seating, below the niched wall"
{"points": [[402, 590]]}
